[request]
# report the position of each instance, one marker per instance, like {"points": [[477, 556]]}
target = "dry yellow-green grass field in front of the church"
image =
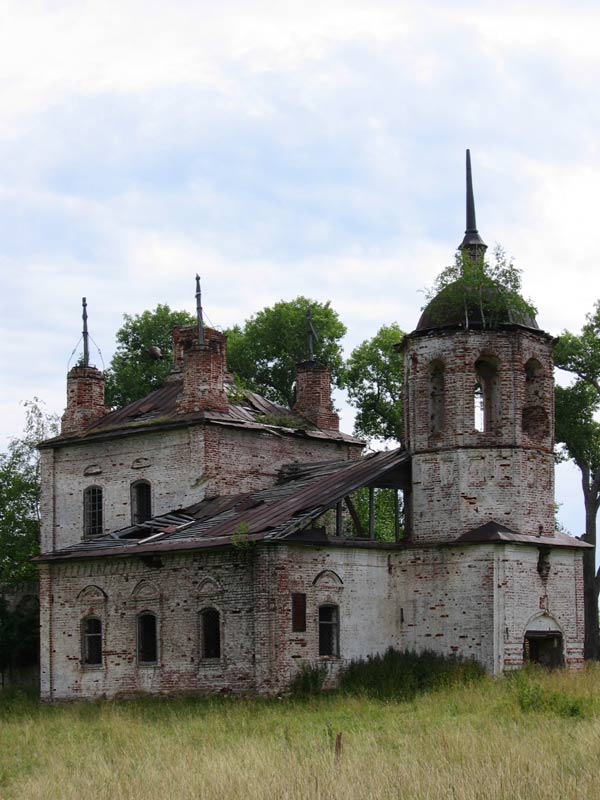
{"points": [[535, 736]]}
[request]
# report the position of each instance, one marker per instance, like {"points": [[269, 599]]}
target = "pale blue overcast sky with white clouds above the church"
{"points": [[283, 148]]}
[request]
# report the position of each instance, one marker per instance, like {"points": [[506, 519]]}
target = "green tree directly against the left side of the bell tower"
{"points": [[374, 383]]}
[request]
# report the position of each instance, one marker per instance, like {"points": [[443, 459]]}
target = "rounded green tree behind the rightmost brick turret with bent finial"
{"points": [[264, 352]]}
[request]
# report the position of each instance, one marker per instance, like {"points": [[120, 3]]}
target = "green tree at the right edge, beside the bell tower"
{"points": [[578, 431]]}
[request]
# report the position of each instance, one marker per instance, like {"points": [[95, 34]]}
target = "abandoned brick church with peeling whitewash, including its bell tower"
{"points": [[195, 542]]}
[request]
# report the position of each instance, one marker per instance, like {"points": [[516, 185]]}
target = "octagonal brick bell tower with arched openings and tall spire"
{"points": [[479, 414]]}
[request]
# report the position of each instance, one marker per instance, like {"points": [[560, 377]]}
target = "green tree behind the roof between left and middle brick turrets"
{"points": [[133, 373]]}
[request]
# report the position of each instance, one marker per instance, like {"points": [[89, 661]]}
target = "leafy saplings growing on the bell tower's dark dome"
{"points": [[476, 289]]}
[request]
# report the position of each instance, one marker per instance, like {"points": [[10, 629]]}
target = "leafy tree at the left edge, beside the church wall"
{"points": [[20, 494]]}
